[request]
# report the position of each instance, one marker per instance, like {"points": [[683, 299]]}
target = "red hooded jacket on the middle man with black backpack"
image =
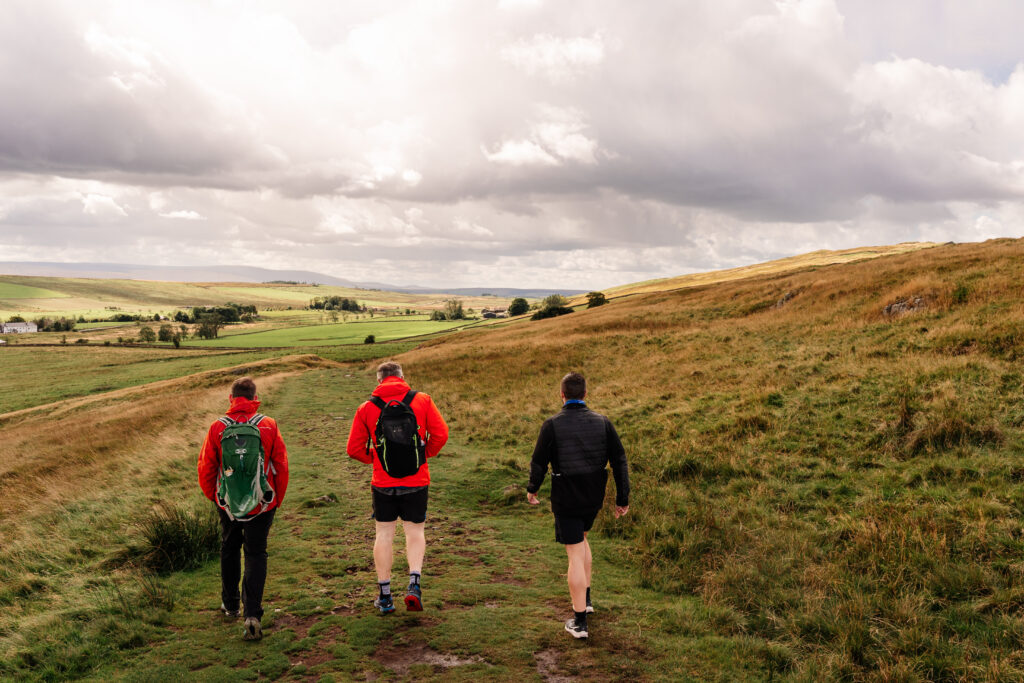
{"points": [[433, 431]]}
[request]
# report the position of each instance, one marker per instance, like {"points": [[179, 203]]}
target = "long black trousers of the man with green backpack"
{"points": [[250, 536]]}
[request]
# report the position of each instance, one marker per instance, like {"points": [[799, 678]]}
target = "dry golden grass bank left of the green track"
{"points": [[55, 454]]}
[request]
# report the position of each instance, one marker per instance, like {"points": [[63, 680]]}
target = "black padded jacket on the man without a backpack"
{"points": [[579, 445]]}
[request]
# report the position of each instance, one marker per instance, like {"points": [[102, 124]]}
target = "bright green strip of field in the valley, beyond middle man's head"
{"points": [[331, 335]]}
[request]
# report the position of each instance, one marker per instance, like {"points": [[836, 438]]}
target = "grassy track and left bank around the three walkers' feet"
{"points": [[79, 602]]}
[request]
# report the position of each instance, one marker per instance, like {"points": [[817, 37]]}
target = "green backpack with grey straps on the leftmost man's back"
{"points": [[242, 485]]}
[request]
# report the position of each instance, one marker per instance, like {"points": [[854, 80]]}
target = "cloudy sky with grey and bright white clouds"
{"points": [[505, 143]]}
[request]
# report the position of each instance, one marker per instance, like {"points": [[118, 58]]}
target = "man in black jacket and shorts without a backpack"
{"points": [[579, 444]]}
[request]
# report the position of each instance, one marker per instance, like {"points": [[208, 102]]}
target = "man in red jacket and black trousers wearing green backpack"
{"points": [[243, 468]]}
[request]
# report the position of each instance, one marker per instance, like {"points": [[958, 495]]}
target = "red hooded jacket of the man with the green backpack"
{"points": [[276, 456]]}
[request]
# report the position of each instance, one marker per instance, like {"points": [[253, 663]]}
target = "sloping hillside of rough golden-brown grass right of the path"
{"points": [[838, 484]]}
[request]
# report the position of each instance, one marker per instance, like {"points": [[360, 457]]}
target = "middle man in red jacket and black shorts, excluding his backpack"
{"points": [[395, 498]]}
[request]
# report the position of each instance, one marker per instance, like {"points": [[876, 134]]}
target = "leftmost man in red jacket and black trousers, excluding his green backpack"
{"points": [[249, 533]]}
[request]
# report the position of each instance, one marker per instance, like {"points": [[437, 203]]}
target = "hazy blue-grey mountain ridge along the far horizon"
{"points": [[240, 274]]}
